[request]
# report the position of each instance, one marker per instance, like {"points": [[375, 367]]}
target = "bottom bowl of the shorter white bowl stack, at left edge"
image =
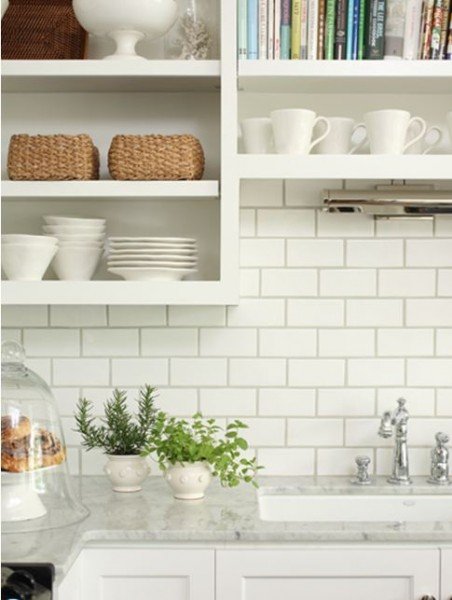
{"points": [[26, 262]]}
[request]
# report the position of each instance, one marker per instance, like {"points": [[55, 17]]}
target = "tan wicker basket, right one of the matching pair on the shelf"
{"points": [[156, 157]]}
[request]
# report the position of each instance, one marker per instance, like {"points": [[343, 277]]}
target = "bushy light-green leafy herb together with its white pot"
{"points": [[191, 452]]}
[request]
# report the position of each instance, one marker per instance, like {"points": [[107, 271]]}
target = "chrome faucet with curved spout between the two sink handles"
{"points": [[397, 423]]}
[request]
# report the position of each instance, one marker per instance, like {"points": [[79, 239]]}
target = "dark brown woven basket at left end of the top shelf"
{"points": [[42, 30]]}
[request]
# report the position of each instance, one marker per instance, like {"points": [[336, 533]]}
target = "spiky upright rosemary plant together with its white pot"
{"points": [[121, 435]]}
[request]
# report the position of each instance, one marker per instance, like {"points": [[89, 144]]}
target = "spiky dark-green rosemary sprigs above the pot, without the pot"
{"points": [[121, 433]]}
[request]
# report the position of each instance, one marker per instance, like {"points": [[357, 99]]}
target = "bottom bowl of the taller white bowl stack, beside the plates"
{"points": [[76, 264]]}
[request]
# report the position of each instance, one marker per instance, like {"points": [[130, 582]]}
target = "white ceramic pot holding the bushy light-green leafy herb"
{"points": [[189, 481]]}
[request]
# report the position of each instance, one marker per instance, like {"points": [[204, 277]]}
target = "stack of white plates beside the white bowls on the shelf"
{"points": [[152, 258]]}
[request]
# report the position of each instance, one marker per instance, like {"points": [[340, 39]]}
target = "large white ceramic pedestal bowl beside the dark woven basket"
{"points": [[126, 21]]}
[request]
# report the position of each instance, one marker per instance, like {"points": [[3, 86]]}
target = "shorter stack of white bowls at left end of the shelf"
{"points": [[26, 257]]}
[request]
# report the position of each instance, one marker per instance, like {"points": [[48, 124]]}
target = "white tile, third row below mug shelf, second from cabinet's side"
{"points": [[315, 253]]}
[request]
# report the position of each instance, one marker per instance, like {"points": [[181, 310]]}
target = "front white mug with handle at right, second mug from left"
{"points": [[293, 129]]}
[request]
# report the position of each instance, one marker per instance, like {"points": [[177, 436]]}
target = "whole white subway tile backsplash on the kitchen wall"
{"points": [[339, 316]]}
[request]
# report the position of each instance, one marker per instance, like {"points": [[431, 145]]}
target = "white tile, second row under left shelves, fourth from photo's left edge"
{"points": [[169, 341]]}
